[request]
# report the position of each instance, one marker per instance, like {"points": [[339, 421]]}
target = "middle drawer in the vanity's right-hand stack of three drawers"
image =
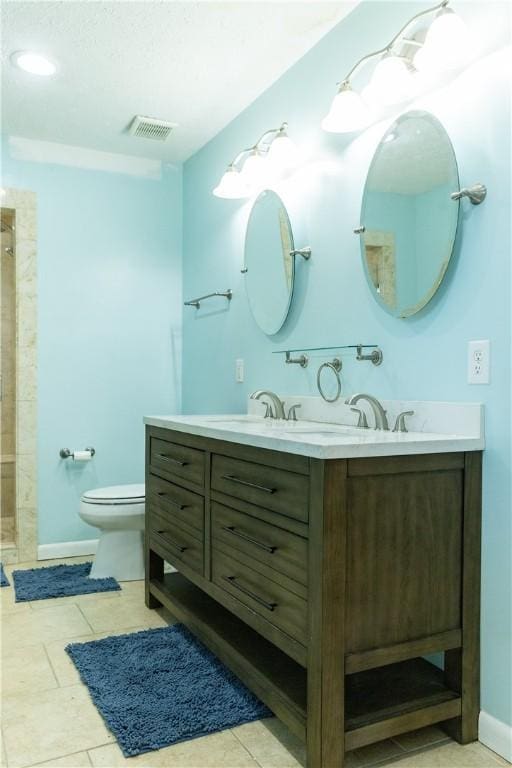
{"points": [[256, 540]]}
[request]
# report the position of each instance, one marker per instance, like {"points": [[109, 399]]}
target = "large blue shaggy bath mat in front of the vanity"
{"points": [[161, 686]]}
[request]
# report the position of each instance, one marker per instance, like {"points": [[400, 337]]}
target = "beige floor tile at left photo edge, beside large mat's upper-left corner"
{"points": [[24, 672]]}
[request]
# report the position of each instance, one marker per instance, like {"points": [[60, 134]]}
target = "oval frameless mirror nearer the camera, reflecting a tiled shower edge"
{"points": [[408, 216]]}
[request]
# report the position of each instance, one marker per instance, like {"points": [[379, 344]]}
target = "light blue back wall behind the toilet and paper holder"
{"points": [[109, 326]]}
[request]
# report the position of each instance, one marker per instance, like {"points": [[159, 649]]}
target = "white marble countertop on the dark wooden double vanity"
{"points": [[322, 439]]}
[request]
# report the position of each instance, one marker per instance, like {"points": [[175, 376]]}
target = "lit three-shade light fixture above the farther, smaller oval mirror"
{"points": [[273, 155]]}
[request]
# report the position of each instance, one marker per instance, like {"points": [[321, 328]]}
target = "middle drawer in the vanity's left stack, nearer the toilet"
{"points": [[176, 503]]}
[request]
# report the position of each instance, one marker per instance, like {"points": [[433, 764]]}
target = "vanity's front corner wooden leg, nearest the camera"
{"points": [[326, 667]]}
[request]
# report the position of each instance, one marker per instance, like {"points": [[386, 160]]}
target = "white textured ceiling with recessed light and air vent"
{"points": [[194, 63]]}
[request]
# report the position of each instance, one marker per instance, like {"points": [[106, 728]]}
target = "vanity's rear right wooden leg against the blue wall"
{"points": [[462, 665]]}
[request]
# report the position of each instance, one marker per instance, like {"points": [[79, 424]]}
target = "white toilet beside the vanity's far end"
{"points": [[118, 511]]}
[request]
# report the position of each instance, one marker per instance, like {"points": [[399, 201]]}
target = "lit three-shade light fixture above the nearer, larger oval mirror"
{"points": [[444, 46]]}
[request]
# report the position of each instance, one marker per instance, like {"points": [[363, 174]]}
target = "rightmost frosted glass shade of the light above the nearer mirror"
{"points": [[447, 43]]}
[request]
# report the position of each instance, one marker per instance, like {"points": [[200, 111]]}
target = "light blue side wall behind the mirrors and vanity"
{"points": [[425, 356]]}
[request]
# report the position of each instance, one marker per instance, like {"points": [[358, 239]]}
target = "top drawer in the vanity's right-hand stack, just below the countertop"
{"points": [[275, 489]]}
